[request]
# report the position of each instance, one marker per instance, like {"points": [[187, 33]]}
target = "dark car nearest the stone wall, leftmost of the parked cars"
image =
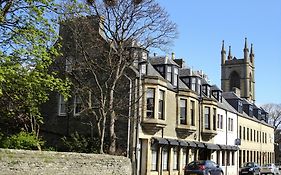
{"points": [[202, 167]]}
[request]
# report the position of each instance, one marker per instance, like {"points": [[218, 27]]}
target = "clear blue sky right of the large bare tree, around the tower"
{"points": [[203, 24]]}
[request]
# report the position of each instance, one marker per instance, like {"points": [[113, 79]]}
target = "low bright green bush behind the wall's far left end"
{"points": [[22, 140]]}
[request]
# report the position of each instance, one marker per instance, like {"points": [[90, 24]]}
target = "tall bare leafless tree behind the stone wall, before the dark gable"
{"points": [[103, 43]]}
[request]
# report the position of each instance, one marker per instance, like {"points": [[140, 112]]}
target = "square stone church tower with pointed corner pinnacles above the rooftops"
{"points": [[239, 73]]}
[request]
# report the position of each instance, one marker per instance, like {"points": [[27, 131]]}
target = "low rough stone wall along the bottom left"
{"points": [[24, 162]]}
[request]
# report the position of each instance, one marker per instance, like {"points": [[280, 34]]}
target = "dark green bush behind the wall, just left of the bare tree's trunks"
{"points": [[80, 143]]}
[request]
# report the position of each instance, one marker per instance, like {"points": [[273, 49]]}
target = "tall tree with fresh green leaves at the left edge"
{"points": [[27, 36]]}
